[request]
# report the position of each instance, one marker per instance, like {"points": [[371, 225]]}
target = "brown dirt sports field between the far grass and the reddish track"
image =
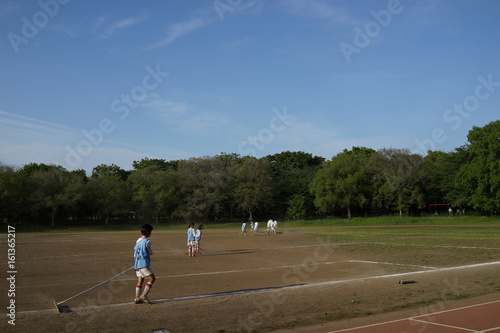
{"points": [[289, 282]]}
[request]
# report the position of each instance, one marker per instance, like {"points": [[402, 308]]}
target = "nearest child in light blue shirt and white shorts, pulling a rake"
{"points": [[142, 263]]}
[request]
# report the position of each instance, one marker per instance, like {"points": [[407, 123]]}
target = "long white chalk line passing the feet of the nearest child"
{"points": [[302, 285]]}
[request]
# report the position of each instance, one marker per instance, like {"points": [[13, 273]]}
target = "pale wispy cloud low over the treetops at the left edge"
{"points": [[25, 140]]}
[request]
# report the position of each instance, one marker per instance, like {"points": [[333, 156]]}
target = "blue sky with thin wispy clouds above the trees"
{"points": [[91, 82]]}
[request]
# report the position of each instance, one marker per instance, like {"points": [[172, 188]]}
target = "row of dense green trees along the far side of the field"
{"points": [[294, 185]]}
